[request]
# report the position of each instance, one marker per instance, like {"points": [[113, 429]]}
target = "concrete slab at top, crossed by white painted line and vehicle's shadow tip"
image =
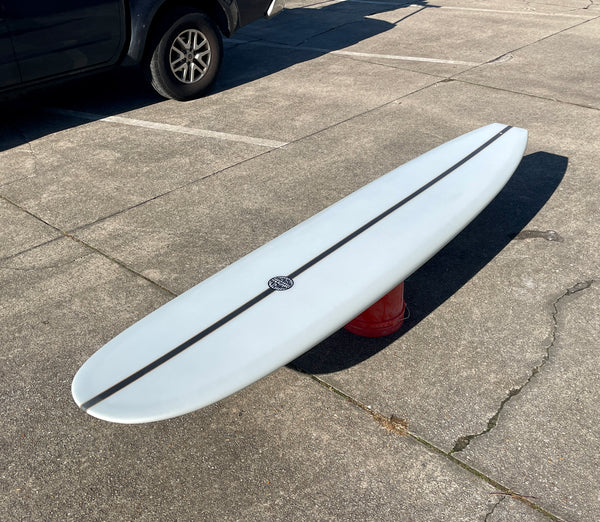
{"points": [[338, 27]]}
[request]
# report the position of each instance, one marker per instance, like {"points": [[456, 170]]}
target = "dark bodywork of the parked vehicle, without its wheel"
{"points": [[42, 40]]}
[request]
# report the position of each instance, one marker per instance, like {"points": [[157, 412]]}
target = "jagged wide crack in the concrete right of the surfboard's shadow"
{"points": [[463, 442]]}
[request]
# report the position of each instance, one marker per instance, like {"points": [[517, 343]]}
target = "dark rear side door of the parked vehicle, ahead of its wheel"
{"points": [[63, 36]]}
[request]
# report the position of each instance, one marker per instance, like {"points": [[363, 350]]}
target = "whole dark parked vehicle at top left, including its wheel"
{"points": [[178, 42]]}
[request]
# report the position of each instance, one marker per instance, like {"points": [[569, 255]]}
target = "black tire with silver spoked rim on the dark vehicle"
{"points": [[186, 55]]}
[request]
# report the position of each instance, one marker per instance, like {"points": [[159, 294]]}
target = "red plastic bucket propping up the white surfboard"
{"points": [[383, 318]]}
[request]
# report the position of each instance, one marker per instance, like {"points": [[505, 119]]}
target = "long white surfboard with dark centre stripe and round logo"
{"points": [[279, 301]]}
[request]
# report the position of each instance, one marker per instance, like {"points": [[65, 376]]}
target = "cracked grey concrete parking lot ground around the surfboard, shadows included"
{"points": [[483, 407]]}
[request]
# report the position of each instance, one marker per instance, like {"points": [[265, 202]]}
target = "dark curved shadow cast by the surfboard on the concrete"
{"points": [[530, 187]]}
